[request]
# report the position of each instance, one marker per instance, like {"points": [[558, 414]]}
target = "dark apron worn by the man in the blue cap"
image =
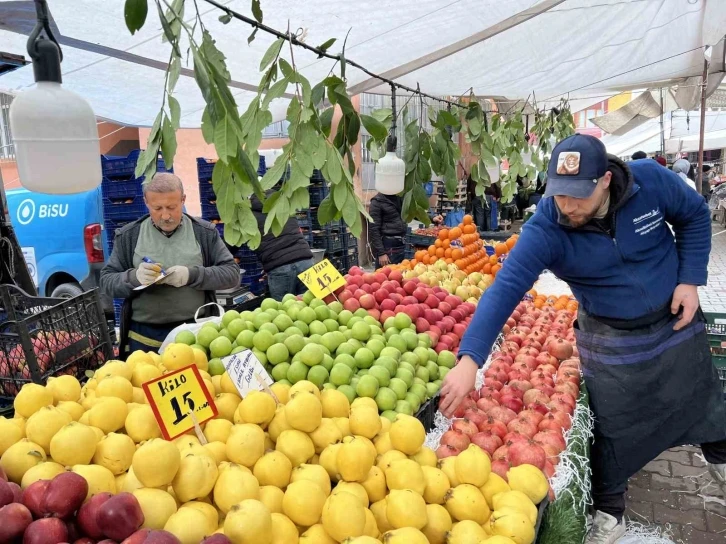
{"points": [[651, 388]]}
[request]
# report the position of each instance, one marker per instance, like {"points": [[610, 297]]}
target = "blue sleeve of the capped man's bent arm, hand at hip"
{"points": [[688, 212]]}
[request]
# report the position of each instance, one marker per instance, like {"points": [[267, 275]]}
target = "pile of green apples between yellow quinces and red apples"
{"points": [[333, 348]]}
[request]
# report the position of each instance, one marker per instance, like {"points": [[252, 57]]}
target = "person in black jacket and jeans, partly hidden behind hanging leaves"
{"points": [[283, 257]]}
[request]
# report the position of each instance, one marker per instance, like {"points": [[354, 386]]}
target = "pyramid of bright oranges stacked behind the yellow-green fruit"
{"points": [[462, 246]]}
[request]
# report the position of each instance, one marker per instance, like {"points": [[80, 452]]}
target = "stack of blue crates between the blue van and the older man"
{"points": [[123, 199]]}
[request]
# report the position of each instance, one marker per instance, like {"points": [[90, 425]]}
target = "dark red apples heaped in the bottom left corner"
{"points": [[52, 511]]}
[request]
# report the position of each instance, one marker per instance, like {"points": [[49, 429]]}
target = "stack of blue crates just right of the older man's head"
{"points": [[253, 276]]}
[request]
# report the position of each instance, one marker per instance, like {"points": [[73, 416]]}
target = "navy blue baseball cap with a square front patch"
{"points": [[576, 164]]}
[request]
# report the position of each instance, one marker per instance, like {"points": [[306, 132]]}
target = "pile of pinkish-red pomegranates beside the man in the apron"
{"points": [[521, 412]]}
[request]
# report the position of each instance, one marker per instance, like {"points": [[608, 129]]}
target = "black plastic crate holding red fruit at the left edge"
{"points": [[43, 337]]}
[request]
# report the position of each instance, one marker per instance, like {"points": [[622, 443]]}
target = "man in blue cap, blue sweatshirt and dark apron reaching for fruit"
{"points": [[602, 227]]}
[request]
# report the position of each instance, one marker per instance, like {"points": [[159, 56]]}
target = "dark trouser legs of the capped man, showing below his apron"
{"points": [[611, 499]]}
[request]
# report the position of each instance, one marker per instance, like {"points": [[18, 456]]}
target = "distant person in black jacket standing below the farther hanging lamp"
{"points": [[387, 232]]}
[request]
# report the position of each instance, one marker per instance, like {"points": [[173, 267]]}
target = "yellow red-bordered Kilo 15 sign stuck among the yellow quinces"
{"points": [[174, 395]]}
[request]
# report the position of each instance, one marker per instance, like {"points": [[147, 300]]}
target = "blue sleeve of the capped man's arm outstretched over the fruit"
{"points": [[532, 254]]}
